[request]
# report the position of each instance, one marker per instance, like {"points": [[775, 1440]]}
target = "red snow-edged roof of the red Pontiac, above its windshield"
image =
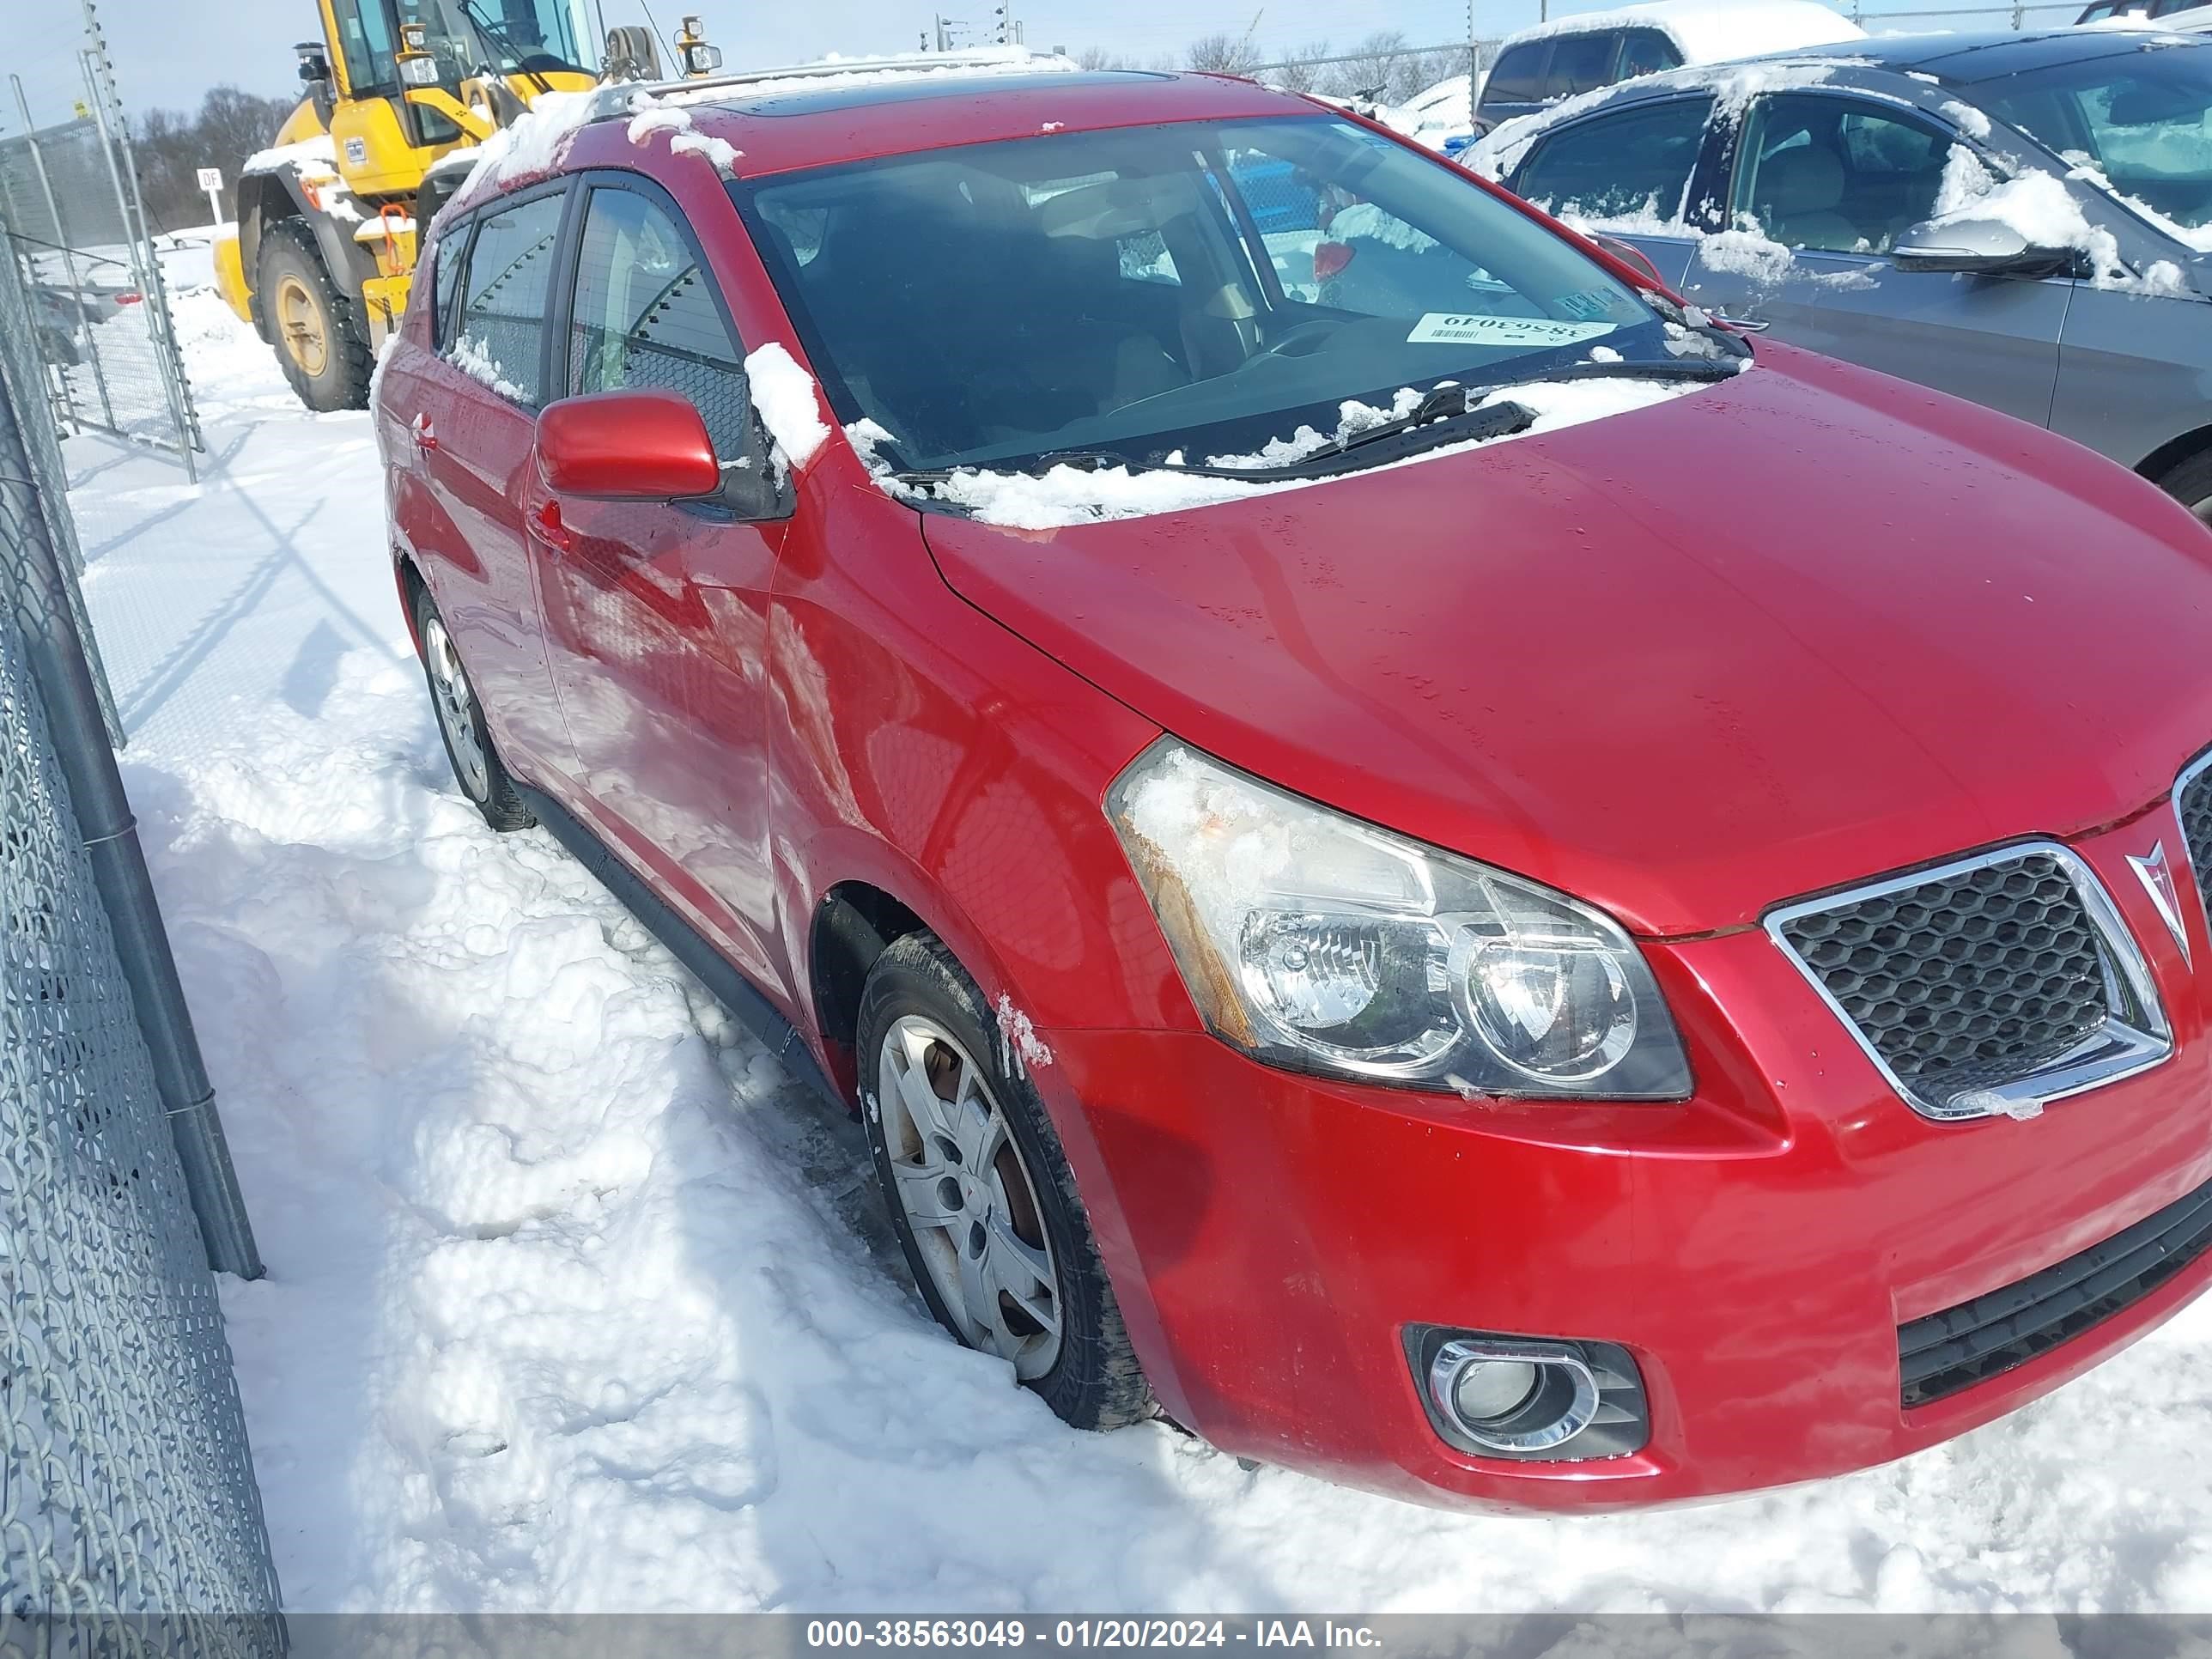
{"points": [[786, 125]]}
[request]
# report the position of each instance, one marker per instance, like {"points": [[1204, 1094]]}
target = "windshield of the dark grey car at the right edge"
{"points": [[2142, 118]]}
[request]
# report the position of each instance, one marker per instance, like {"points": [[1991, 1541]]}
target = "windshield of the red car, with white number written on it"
{"points": [[1187, 293]]}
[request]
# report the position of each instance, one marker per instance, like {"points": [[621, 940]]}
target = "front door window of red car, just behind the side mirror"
{"points": [[647, 317]]}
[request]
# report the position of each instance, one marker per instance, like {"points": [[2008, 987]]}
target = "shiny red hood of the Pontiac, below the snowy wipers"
{"points": [[1684, 662]]}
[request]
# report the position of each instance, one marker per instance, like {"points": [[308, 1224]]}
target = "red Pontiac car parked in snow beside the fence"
{"points": [[1415, 855]]}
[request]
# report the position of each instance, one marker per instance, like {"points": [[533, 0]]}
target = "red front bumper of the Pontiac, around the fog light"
{"points": [[1755, 1249]]}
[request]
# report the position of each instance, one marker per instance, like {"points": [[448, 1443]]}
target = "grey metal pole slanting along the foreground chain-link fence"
{"points": [[96, 793]]}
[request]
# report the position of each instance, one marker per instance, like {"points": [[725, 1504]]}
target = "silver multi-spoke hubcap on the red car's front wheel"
{"points": [[968, 1196]]}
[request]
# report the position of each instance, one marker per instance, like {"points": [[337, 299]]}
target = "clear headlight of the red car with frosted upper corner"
{"points": [[1322, 943]]}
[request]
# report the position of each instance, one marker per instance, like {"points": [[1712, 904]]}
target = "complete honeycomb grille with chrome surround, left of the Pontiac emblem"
{"points": [[1974, 983]]}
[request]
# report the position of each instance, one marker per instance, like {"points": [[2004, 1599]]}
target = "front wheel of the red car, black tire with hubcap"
{"points": [[957, 1200]]}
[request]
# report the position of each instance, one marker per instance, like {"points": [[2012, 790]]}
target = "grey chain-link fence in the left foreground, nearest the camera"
{"points": [[129, 1514]]}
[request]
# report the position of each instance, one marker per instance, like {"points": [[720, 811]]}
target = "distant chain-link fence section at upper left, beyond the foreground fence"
{"points": [[94, 275]]}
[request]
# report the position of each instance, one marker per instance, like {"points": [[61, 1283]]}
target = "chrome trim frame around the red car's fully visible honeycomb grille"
{"points": [[2111, 1052]]}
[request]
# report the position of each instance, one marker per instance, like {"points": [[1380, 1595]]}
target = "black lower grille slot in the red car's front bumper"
{"points": [[1976, 1342]]}
